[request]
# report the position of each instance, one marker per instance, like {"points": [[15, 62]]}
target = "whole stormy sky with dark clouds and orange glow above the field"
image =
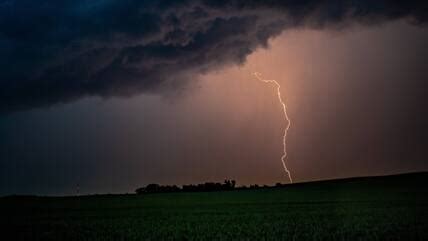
{"points": [[115, 105]]}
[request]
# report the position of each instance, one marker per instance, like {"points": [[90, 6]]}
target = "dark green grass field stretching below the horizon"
{"points": [[379, 208]]}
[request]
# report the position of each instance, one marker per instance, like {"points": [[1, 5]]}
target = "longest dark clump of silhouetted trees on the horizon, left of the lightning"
{"points": [[203, 187]]}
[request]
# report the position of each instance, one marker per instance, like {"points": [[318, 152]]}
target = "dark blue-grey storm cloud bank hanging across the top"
{"points": [[58, 51]]}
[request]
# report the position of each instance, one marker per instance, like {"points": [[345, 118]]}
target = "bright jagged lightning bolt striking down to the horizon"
{"points": [[287, 119]]}
